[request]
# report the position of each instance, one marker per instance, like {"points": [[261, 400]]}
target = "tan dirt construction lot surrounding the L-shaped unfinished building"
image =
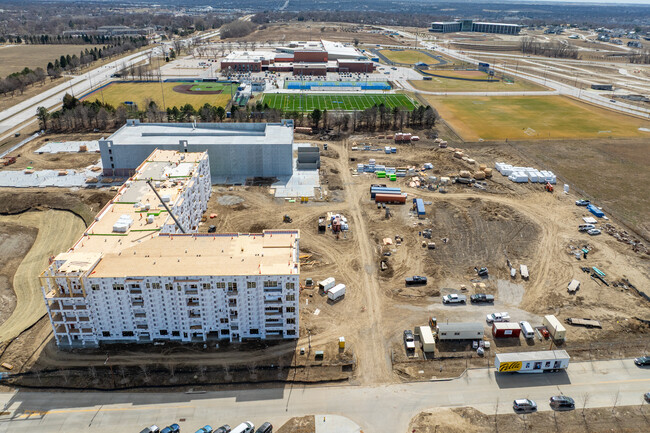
{"points": [[471, 227]]}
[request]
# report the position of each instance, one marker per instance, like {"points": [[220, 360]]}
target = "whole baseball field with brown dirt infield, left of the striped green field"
{"points": [[140, 93]]}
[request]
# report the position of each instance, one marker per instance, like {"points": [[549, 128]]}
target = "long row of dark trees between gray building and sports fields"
{"points": [[76, 115]]}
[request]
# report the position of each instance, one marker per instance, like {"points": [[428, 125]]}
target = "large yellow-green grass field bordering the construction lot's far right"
{"points": [[532, 117]]}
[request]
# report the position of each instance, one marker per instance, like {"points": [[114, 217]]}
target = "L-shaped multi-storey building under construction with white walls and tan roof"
{"points": [[135, 277]]}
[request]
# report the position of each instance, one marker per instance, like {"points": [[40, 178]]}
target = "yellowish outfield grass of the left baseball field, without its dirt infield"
{"points": [[140, 93]]}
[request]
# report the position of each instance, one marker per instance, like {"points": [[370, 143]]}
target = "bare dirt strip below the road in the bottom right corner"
{"points": [[467, 420]]}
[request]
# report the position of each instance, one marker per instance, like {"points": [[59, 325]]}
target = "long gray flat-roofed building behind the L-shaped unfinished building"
{"points": [[236, 150]]}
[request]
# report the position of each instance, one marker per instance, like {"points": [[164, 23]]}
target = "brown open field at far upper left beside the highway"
{"points": [[15, 58]]}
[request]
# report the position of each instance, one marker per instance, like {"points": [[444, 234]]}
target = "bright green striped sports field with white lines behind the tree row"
{"points": [[356, 102]]}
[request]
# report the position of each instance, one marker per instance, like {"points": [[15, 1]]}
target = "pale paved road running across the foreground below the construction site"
{"points": [[380, 409]]}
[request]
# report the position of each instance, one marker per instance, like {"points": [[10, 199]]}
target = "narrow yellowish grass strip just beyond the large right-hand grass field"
{"points": [[438, 84]]}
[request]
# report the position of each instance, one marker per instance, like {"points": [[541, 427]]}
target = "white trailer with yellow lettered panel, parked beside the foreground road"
{"points": [[532, 362]]}
